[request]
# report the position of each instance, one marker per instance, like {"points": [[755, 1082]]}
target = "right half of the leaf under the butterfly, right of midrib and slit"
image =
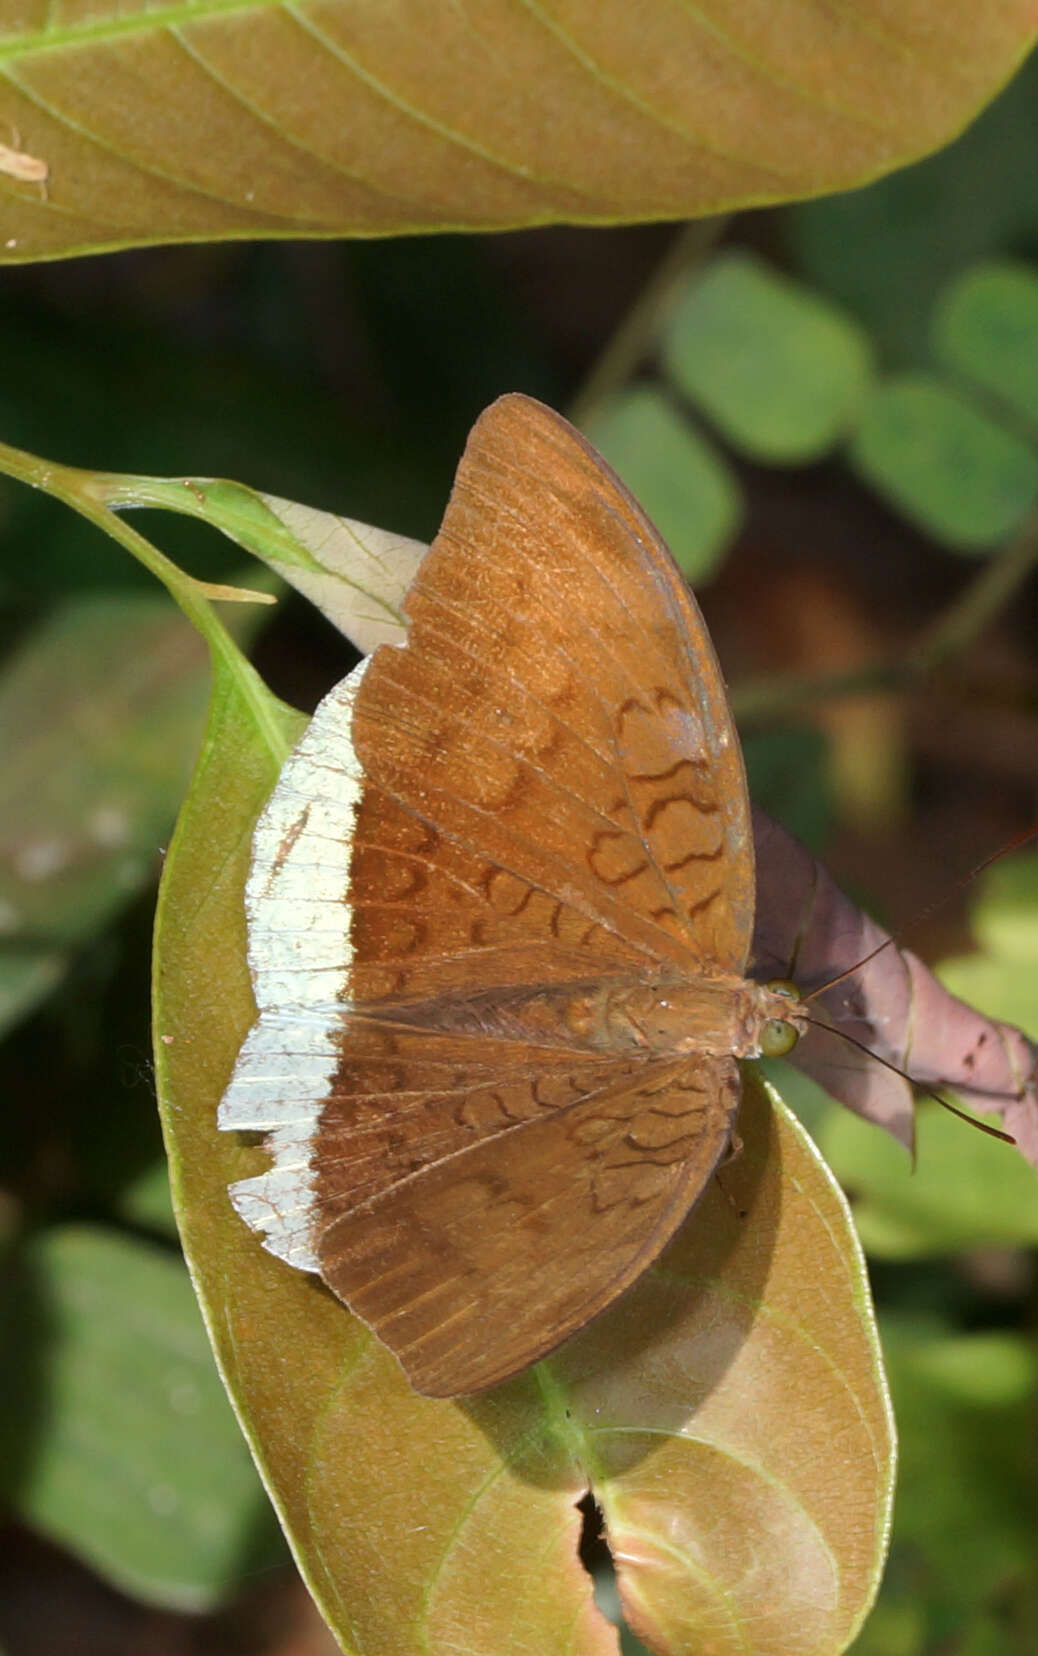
{"points": [[749, 1375]]}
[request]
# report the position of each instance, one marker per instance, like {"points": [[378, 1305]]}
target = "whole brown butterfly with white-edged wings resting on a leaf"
{"points": [[499, 917]]}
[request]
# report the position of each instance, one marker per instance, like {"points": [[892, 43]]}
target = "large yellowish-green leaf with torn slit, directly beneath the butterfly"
{"points": [[703, 1410]]}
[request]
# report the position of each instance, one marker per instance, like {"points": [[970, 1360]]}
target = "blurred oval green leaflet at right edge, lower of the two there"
{"points": [[943, 463]]}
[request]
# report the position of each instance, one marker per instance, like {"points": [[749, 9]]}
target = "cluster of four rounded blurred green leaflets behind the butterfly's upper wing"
{"points": [[786, 377]]}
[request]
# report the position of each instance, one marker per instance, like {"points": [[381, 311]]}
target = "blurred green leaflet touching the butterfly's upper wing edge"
{"points": [[675, 473]]}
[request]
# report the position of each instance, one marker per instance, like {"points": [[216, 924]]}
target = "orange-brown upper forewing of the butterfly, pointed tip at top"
{"points": [[590, 713]]}
